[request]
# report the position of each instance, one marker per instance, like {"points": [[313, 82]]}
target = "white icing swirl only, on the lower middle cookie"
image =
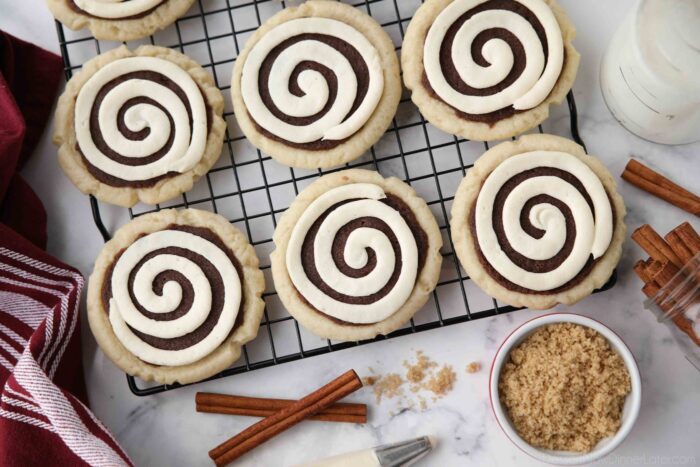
{"points": [[361, 200]]}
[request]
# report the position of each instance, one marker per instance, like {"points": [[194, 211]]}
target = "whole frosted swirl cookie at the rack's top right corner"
{"points": [[488, 70]]}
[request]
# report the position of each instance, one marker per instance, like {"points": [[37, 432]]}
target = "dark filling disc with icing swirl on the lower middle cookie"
{"points": [[355, 254]]}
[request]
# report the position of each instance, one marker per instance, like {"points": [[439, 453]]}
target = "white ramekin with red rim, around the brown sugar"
{"points": [[629, 413]]}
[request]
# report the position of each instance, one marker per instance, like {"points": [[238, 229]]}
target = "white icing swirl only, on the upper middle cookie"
{"points": [[336, 124]]}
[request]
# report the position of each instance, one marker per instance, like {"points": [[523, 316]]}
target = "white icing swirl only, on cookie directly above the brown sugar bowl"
{"points": [[594, 228]]}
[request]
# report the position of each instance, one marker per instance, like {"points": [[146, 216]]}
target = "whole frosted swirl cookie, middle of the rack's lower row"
{"points": [[356, 255]]}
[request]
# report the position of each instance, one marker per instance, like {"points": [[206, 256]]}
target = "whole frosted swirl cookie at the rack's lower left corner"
{"points": [[174, 295]]}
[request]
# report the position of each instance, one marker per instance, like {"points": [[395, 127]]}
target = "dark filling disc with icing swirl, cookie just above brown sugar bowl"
{"points": [[540, 220]]}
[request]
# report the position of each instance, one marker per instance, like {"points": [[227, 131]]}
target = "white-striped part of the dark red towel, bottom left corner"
{"points": [[41, 421]]}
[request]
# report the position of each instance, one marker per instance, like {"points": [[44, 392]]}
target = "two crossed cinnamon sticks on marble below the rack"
{"points": [[281, 414]]}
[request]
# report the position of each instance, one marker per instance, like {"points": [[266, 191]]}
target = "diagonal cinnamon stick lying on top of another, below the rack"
{"points": [[267, 428]]}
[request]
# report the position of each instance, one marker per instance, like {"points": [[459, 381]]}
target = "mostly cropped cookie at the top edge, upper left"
{"points": [[118, 20]]}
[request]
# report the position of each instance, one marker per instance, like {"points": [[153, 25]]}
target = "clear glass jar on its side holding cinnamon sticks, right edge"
{"points": [[677, 305]]}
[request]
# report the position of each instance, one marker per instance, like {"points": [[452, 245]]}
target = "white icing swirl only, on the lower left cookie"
{"points": [[123, 313]]}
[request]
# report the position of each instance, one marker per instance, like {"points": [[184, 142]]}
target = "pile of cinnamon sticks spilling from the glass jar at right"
{"points": [[668, 255]]}
